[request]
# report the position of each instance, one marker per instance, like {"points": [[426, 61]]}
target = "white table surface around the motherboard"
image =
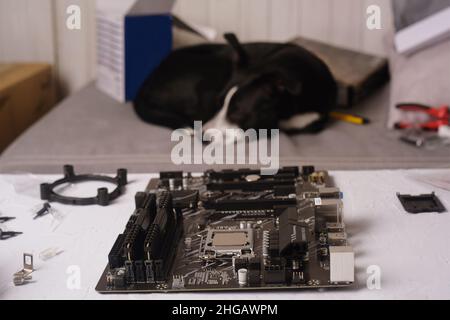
{"points": [[413, 251]]}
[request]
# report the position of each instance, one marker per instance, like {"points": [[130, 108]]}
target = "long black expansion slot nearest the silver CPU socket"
{"points": [[242, 205]]}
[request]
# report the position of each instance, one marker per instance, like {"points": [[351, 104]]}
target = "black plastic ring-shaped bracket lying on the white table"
{"points": [[103, 198]]}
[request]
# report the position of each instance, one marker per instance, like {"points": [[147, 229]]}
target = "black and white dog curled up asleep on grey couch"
{"points": [[254, 85]]}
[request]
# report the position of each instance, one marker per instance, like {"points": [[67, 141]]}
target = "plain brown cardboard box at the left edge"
{"points": [[26, 94]]}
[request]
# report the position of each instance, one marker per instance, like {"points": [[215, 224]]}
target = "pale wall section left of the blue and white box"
{"points": [[35, 30]]}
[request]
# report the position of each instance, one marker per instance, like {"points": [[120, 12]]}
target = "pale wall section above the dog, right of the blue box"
{"points": [[341, 22]]}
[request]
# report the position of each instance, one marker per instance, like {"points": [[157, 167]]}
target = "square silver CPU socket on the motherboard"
{"points": [[227, 242]]}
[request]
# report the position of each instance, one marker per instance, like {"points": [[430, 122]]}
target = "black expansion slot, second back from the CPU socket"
{"points": [[259, 185]]}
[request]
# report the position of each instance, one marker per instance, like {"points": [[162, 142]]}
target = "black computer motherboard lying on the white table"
{"points": [[232, 230]]}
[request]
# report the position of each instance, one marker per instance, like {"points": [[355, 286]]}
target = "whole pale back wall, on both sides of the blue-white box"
{"points": [[34, 30]]}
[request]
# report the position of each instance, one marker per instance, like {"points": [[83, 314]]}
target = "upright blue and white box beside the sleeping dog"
{"points": [[133, 37]]}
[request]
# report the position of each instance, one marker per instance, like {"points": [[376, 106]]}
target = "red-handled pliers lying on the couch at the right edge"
{"points": [[437, 116]]}
